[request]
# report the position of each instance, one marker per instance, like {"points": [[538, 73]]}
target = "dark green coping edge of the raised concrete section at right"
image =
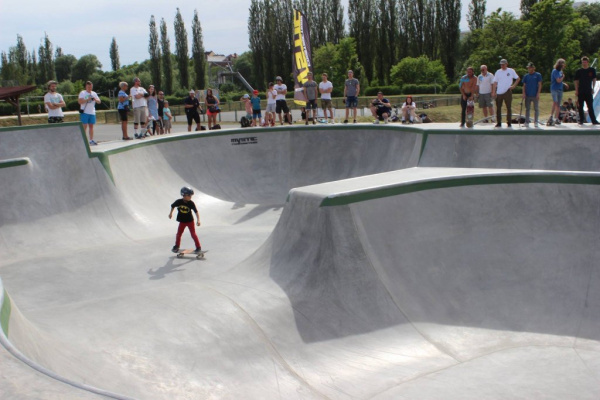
{"points": [[442, 183]]}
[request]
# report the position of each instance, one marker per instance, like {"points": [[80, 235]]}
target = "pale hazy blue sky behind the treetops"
{"points": [[87, 27]]}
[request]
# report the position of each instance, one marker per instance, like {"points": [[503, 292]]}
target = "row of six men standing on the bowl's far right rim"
{"points": [[488, 87]]}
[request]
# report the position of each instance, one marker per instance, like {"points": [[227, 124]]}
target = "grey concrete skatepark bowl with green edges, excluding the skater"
{"points": [[345, 262]]}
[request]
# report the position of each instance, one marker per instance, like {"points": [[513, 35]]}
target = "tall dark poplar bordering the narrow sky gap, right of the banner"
{"points": [[447, 17]]}
